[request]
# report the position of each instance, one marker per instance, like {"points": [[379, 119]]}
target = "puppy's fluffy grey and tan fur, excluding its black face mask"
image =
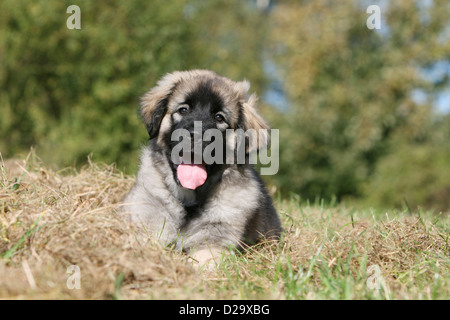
{"points": [[237, 210]]}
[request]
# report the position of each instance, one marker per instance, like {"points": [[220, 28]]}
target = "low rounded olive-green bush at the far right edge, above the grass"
{"points": [[415, 173]]}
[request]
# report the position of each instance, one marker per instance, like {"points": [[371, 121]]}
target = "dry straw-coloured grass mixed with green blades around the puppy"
{"points": [[51, 220]]}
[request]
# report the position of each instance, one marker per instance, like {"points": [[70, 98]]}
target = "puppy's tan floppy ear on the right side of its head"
{"points": [[254, 125]]}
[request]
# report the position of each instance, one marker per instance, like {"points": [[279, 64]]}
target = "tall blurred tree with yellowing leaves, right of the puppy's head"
{"points": [[350, 88]]}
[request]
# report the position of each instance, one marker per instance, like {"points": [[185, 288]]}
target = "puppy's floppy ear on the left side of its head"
{"points": [[154, 103]]}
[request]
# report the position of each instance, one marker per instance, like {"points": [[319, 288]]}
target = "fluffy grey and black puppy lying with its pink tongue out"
{"points": [[201, 208]]}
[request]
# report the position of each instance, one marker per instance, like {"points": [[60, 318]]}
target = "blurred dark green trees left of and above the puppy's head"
{"points": [[76, 92]]}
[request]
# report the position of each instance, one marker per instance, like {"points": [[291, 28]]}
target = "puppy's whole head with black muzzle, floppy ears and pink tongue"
{"points": [[196, 101]]}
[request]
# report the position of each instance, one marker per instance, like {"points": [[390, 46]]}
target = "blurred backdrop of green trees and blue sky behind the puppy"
{"points": [[364, 115]]}
